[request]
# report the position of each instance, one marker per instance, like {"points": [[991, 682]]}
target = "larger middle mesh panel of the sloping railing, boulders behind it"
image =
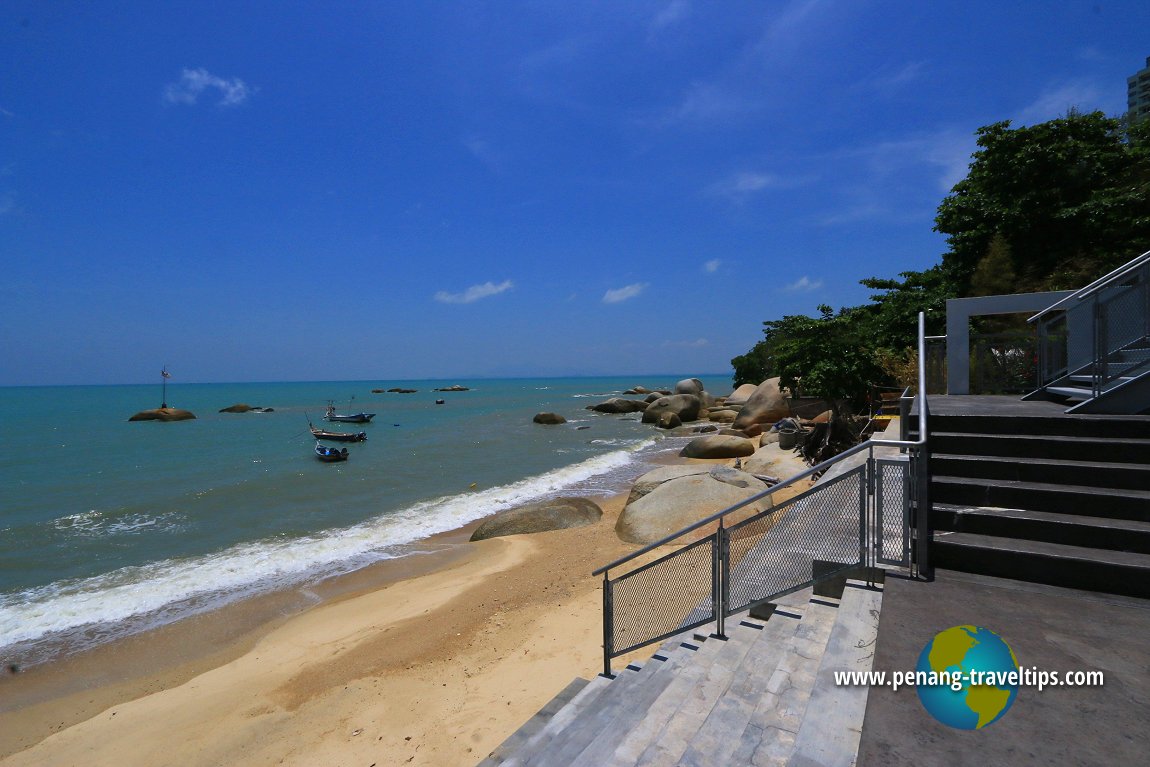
{"points": [[776, 553]]}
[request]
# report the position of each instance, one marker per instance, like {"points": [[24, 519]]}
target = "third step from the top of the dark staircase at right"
{"points": [[1087, 472]]}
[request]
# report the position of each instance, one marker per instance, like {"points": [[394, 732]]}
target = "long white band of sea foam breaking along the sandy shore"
{"points": [[134, 599]]}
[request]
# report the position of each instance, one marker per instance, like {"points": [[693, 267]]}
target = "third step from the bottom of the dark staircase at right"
{"points": [[1042, 497]]}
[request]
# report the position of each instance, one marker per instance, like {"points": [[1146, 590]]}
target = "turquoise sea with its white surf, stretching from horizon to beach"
{"points": [[110, 527]]}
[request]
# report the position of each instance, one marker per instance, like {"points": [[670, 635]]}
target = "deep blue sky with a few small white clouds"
{"points": [[264, 191]]}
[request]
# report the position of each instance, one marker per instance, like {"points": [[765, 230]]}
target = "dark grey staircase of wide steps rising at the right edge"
{"points": [[1049, 498]]}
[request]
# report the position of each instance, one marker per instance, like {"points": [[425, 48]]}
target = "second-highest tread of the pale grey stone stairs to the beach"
{"points": [[770, 735]]}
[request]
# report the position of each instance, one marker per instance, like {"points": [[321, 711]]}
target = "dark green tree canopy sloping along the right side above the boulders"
{"points": [[1042, 208]]}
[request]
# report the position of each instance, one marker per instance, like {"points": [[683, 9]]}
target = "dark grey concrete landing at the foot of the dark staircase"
{"points": [[1049, 628]]}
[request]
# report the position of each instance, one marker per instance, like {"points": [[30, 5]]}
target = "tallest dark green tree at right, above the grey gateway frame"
{"points": [[1070, 198]]}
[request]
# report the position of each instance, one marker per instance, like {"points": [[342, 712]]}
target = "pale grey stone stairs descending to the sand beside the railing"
{"points": [[766, 695]]}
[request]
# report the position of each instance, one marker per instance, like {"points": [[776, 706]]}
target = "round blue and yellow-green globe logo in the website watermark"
{"points": [[964, 678]]}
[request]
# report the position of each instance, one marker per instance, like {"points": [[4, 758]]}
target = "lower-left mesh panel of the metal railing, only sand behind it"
{"points": [[668, 596]]}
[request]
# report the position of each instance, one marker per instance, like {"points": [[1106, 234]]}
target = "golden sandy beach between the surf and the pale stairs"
{"points": [[433, 662]]}
